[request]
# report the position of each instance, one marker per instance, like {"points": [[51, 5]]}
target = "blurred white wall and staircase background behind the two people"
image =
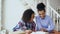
{"points": [[11, 11]]}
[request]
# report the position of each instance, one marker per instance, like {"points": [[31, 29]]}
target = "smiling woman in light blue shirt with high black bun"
{"points": [[43, 21]]}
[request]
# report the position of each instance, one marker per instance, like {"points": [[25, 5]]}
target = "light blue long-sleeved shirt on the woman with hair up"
{"points": [[46, 23]]}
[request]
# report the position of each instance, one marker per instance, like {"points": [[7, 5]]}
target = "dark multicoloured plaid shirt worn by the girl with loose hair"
{"points": [[25, 26]]}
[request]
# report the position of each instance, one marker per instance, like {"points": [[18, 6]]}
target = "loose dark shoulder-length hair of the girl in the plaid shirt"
{"points": [[27, 15]]}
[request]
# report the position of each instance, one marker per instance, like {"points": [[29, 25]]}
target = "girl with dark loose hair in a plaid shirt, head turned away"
{"points": [[26, 23]]}
